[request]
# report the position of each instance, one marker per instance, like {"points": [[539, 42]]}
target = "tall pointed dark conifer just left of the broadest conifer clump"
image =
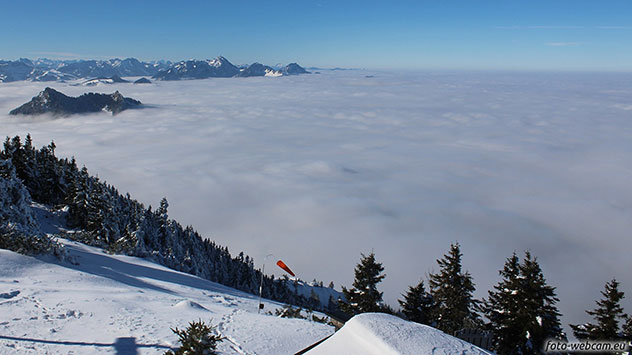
{"points": [[452, 291]]}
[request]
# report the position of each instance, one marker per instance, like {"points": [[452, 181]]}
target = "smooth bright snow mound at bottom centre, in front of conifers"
{"points": [[383, 334]]}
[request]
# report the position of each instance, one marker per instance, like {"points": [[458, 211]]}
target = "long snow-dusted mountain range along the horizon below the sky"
{"points": [[100, 71]]}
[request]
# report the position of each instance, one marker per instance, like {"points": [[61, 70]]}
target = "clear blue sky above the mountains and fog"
{"points": [[441, 34]]}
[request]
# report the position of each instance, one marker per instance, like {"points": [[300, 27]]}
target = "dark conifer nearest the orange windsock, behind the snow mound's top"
{"points": [[364, 296]]}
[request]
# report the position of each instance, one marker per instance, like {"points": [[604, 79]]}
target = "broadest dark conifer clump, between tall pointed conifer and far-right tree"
{"points": [[521, 309]]}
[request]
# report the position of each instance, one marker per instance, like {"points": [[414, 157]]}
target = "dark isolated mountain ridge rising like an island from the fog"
{"points": [[52, 101]]}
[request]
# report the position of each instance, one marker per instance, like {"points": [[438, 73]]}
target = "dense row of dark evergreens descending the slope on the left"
{"points": [[121, 224]]}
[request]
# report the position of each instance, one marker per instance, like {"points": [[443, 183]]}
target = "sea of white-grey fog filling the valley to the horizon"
{"points": [[317, 169]]}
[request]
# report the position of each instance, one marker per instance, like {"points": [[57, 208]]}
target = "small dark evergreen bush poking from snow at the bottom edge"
{"points": [[197, 339]]}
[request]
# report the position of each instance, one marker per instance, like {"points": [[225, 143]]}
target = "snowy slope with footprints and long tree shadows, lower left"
{"points": [[103, 304]]}
